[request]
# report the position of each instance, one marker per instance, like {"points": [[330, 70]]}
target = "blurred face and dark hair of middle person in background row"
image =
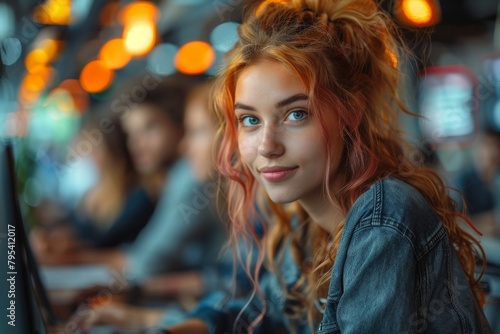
{"points": [[154, 127]]}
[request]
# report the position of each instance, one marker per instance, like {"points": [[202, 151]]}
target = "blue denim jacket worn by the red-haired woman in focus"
{"points": [[395, 272]]}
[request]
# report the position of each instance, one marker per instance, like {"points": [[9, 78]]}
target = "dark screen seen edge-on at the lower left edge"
{"points": [[18, 278]]}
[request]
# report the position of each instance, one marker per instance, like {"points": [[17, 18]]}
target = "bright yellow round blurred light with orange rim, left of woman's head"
{"points": [[139, 37]]}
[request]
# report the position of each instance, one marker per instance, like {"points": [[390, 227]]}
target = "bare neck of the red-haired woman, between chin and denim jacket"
{"points": [[323, 212]]}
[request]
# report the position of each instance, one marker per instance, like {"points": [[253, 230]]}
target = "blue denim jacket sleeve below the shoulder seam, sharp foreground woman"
{"points": [[375, 297]]}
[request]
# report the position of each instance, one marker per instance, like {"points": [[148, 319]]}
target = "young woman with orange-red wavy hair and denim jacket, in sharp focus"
{"points": [[308, 103]]}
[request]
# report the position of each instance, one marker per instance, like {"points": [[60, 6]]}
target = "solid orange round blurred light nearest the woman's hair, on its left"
{"points": [[194, 57]]}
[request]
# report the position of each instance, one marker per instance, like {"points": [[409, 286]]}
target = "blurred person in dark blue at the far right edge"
{"points": [[477, 183]]}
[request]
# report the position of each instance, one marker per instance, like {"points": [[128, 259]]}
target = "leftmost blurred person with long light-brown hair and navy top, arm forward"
{"points": [[116, 208]]}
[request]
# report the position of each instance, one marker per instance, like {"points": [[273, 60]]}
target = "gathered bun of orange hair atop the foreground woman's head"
{"points": [[352, 26]]}
